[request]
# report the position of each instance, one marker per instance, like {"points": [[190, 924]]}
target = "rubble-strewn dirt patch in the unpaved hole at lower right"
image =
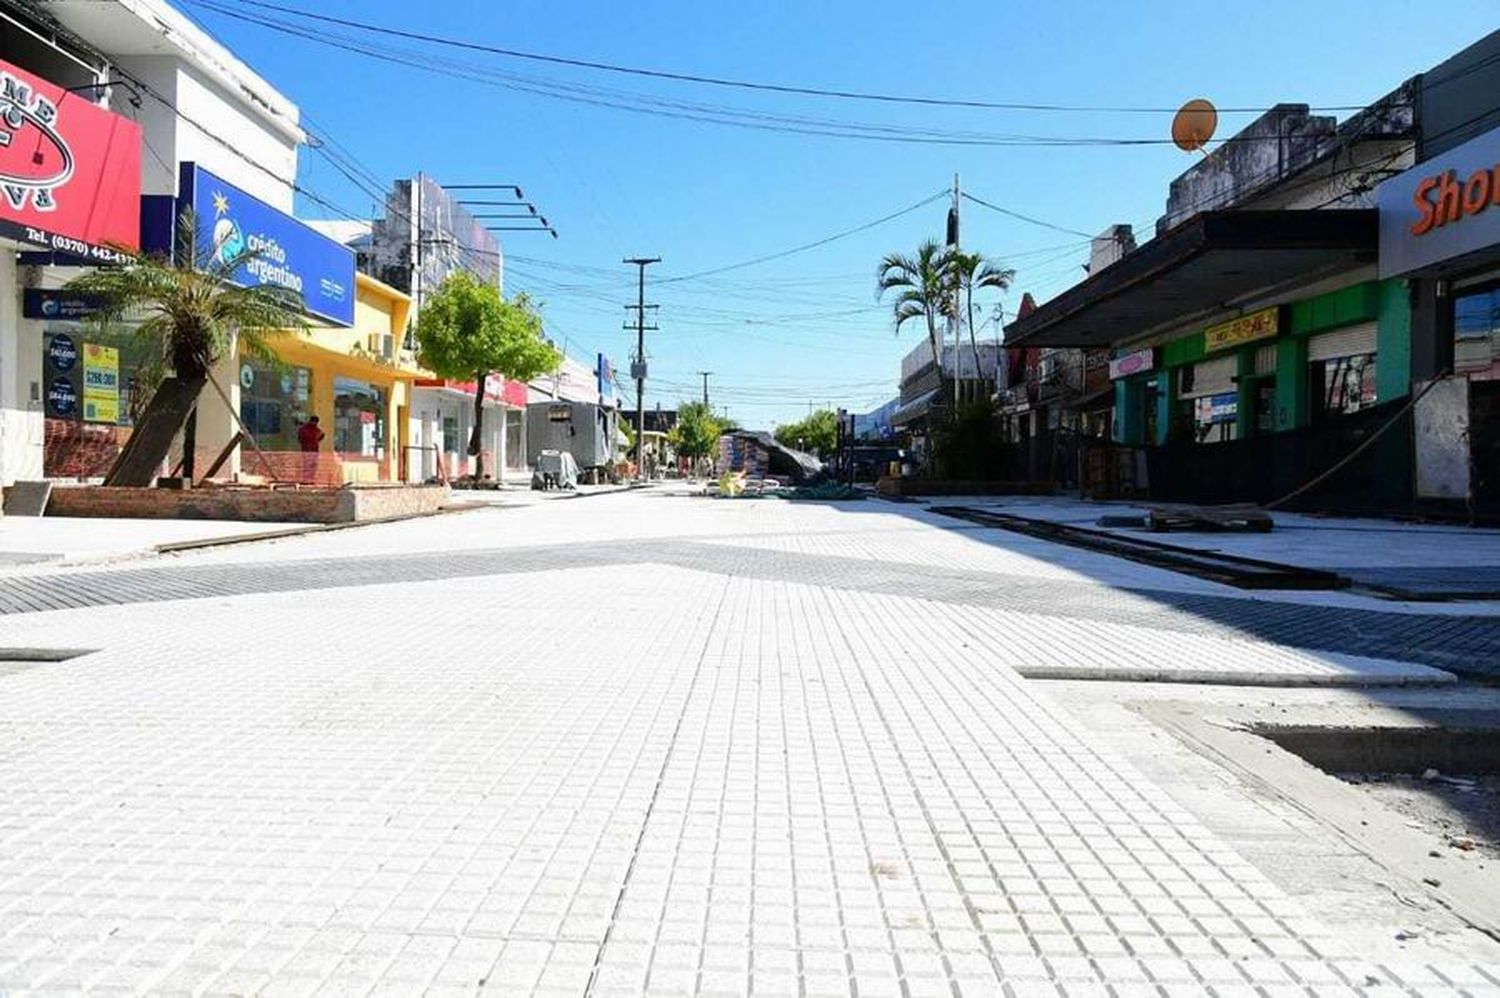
{"points": [[1460, 811]]}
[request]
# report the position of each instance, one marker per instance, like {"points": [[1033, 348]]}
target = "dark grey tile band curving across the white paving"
{"points": [[1454, 643]]}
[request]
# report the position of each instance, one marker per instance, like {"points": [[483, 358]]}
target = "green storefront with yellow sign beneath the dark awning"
{"points": [[1300, 364]]}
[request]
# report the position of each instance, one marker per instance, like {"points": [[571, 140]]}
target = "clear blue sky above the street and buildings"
{"points": [[806, 329]]}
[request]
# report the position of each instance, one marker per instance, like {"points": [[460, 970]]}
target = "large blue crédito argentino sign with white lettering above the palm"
{"points": [[287, 253]]}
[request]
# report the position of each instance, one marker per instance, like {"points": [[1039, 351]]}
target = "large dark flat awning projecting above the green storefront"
{"points": [[1205, 266]]}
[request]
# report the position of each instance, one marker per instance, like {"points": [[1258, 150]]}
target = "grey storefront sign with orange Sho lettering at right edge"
{"points": [[1441, 209]]}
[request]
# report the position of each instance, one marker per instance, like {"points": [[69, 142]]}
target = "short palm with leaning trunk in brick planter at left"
{"points": [[187, 314]]}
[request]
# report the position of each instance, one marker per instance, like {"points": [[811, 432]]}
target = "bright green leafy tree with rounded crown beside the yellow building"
{"points": [[469, 331]]}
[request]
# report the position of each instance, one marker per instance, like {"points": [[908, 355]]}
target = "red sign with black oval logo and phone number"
{"points": [[70, 170]]}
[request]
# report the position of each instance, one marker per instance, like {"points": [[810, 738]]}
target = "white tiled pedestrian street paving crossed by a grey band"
{"points": [[649, 744]]}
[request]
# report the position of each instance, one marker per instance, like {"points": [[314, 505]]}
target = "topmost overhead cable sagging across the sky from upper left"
{"points": [[727, 82]]}
